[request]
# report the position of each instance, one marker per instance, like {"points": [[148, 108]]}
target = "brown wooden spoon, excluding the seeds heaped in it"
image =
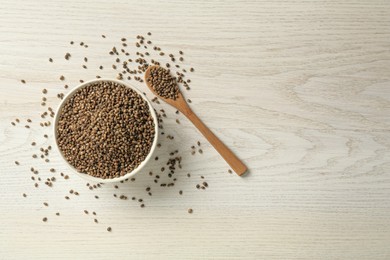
{"points": [[180, 104]]}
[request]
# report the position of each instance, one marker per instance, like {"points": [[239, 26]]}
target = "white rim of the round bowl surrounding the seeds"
{"points": [[127, 175]]}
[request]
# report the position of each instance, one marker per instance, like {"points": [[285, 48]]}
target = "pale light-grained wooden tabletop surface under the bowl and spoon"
{"points": [[300, 90]]}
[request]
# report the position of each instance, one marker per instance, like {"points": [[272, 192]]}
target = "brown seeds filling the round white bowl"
{"points": [[105, 130]]}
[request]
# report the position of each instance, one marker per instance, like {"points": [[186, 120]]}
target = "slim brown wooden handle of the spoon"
{"points": [[236, 164]]}
